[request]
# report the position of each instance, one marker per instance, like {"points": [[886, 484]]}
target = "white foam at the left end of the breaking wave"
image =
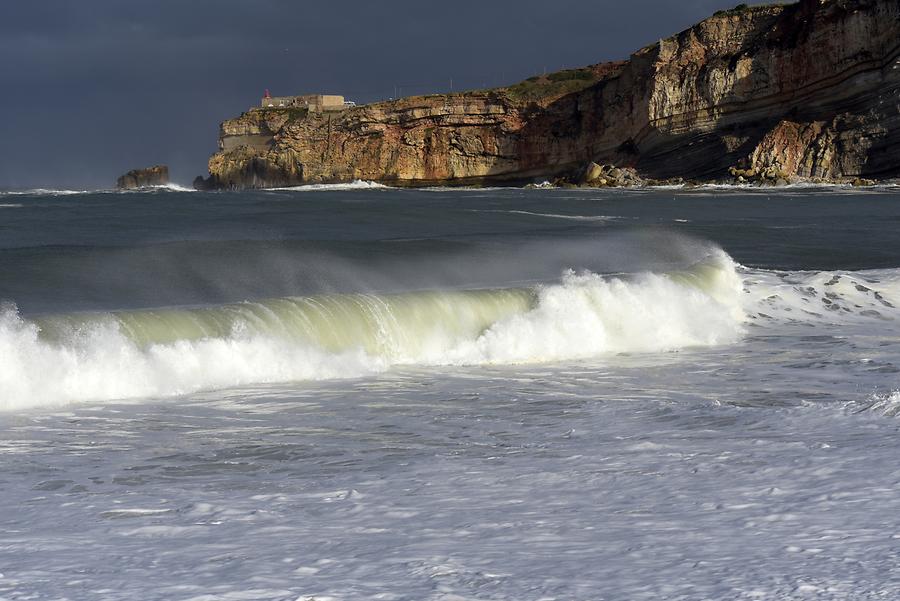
{"points": [[100, 362]]}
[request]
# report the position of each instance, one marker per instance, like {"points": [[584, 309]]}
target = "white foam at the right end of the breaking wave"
{"points": [[588, 315]]}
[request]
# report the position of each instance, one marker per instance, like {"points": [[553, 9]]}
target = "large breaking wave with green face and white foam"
{"points": [[90, 357]]}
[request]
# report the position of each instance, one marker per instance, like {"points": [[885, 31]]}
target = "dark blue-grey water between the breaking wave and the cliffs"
{"points": [[113, 251]]}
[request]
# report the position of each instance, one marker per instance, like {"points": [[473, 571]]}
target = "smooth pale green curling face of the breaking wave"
{"points": [[396, 326]]}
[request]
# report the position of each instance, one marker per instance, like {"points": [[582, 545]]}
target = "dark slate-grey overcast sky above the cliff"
{"points": [[96, 87]]}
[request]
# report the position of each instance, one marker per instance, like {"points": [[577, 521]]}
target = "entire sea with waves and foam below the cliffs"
{"points": [[359, 392]]}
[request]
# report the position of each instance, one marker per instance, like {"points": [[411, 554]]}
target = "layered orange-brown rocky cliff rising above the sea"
{"points": [[808, 90]]}
